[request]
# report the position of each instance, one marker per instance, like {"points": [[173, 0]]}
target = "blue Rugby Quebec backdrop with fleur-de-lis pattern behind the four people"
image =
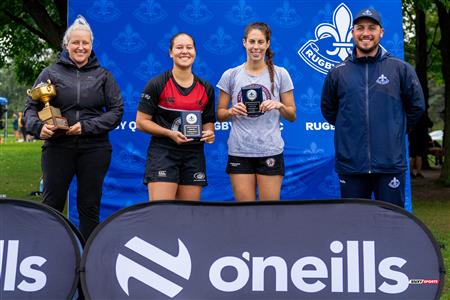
{"points": [[308, 39]]}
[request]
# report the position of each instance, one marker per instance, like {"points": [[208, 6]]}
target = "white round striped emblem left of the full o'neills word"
{"points": [[127, 268]]}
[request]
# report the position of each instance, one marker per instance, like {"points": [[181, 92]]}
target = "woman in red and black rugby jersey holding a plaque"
{"points": [[176, 167]]}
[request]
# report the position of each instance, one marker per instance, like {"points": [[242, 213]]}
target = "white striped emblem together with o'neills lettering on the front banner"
{"points": [[351, 268]]}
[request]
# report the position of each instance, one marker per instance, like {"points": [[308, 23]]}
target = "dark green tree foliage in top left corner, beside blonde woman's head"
{"points": [[30, 32]]}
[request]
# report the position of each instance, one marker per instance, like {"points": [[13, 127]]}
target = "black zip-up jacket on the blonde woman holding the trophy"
{"points": [[88, 95]]}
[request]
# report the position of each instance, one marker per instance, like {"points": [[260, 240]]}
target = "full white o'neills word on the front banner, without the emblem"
{"points": [[308, 273]]}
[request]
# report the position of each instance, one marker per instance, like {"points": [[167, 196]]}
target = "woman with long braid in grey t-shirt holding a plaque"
{"points": [[255, 145]]}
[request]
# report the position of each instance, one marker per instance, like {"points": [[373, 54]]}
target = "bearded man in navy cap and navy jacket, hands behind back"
{"points": [[373, 99]]}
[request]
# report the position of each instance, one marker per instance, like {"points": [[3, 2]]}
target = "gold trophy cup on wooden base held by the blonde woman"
{"points": [[50, 115]]}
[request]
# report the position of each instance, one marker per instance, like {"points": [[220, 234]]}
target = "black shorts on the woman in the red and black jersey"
{"points": [[182, 166]]}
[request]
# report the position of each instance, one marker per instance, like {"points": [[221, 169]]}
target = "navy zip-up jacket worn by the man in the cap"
{"points": [[372, 102]]}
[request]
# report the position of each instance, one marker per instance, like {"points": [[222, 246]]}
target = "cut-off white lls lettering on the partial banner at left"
{"points": [[27, 267]]}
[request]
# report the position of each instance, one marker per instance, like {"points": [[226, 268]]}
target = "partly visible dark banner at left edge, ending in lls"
{"points": [[39, 252]]}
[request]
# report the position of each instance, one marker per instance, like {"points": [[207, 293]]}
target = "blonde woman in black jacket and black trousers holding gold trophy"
{"points": [[90, 100]]}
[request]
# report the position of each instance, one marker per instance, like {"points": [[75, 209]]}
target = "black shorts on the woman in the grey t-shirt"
{"points": [[269, 165]]}
